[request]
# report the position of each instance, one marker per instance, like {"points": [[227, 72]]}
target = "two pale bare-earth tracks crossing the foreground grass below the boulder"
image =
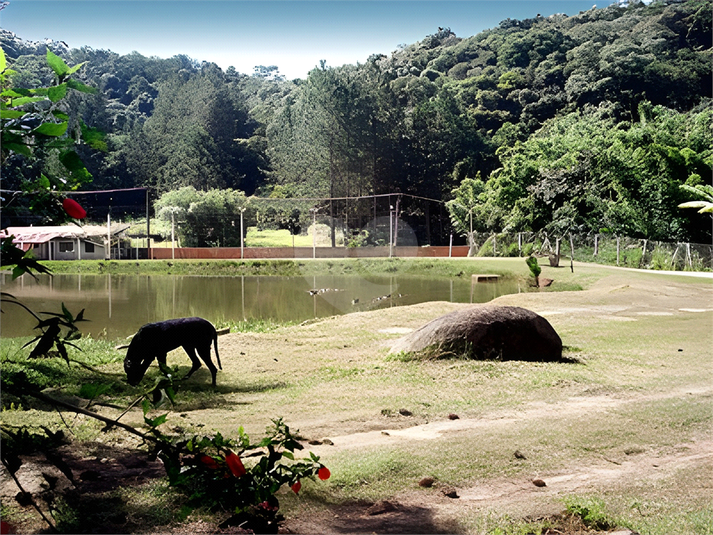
{"points": [[519, 496]]}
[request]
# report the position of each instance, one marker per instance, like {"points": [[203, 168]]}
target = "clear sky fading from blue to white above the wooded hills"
{"points": [[294, 35]]}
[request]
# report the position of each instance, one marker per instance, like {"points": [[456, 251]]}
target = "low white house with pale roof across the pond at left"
{"points": [[68, 242]]}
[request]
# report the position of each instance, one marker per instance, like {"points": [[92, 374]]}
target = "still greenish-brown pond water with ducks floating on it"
{"points": [[117, 305]]}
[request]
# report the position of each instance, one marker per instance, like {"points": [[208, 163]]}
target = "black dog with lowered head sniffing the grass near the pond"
{"points": [[155, 340]]}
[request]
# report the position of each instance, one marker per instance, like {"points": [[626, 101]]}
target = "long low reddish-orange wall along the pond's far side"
{"points": [[160, 253]]}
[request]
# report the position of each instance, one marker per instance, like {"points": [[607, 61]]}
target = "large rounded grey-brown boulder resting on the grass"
{"points": [[486, 332]]}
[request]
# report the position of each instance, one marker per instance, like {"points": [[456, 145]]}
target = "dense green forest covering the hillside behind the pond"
{"points": [[562, 123]]}
